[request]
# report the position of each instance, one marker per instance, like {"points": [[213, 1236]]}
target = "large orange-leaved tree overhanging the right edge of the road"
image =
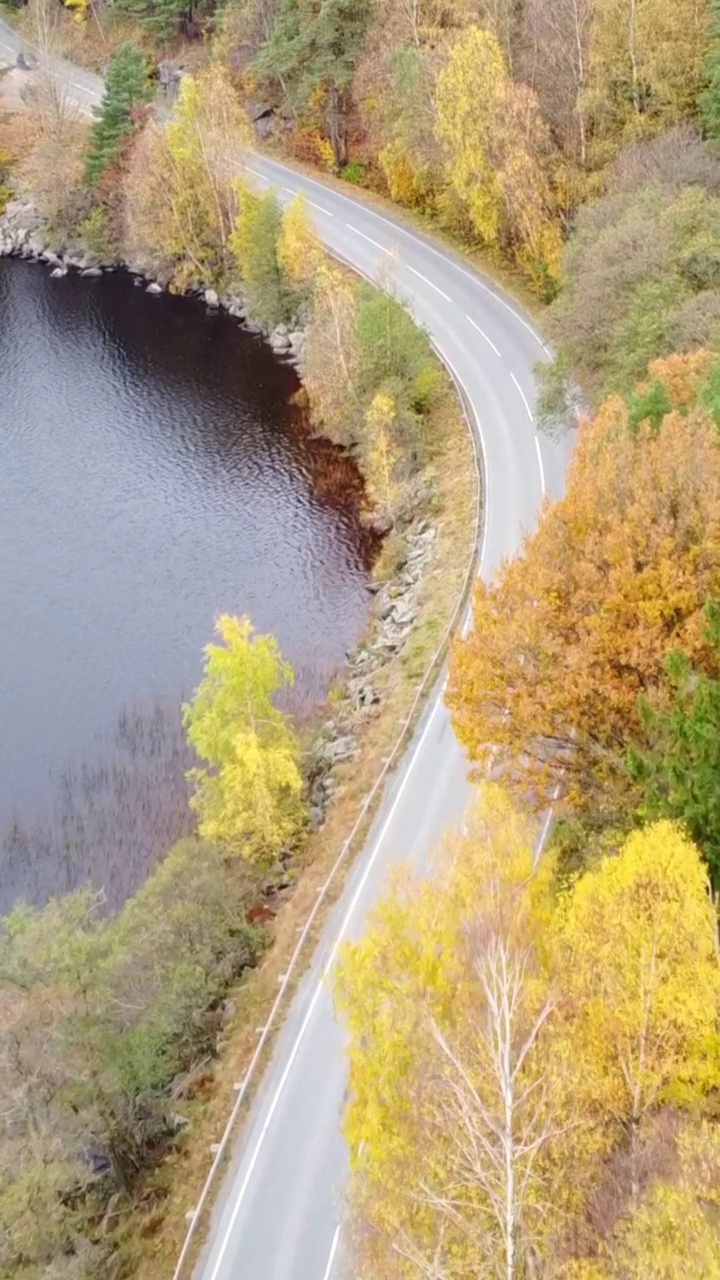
{"points": [[580, 625]]}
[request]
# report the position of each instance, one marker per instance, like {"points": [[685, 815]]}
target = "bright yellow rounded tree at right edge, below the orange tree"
{"points": [[637, 952]]}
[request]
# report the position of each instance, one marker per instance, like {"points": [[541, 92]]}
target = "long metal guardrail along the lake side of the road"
{"points": [[294, 967]]}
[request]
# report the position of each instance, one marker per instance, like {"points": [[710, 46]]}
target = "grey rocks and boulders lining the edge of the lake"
{"points": [[395, 602]]}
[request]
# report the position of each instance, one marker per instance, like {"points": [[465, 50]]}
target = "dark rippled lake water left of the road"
{"points": [[153, 474]]}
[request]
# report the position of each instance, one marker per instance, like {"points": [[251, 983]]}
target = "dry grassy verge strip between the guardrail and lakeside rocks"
{"points": [[152, 1233]]}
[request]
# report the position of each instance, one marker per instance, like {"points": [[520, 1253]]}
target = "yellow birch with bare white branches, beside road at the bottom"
{"points": [[448, 1004]]}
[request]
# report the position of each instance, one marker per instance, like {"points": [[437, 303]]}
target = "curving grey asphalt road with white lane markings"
{"points": [[280, 1212]]}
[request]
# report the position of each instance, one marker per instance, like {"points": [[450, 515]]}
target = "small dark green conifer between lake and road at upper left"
{"points": [[127, 86]]}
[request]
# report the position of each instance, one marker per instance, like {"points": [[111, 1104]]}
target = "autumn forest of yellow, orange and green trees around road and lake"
{"points": [[535, 1030]]}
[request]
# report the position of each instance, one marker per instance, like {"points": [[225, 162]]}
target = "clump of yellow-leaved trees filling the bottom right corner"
{"points": [[512, 1049]]}
